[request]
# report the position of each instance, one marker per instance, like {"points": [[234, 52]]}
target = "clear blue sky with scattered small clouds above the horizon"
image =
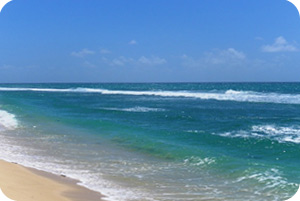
{"points": [[149, 41]]}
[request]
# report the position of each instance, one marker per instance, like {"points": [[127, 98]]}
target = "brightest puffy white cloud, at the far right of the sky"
{"points": [[280, 45]]}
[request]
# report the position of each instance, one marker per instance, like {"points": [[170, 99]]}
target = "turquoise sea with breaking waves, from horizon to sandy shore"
{"points": [[208, 141]]}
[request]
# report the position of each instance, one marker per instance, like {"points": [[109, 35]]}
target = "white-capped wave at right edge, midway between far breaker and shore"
{"points": [[278, 133]]}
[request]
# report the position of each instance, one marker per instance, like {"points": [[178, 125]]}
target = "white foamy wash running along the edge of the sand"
{"points": [[33, 157]]}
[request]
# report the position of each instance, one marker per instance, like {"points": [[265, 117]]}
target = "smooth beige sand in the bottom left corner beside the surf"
{"points": [[26, 184]]}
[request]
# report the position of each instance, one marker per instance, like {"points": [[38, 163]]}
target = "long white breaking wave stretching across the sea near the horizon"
{"points": [[229, 95]]}
